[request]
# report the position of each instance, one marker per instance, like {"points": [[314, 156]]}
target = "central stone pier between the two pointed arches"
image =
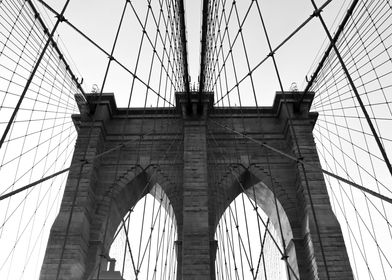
{"points": [[196, 243]]}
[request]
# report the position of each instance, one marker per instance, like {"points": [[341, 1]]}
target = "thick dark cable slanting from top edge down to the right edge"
{"points": [[363, 108]]}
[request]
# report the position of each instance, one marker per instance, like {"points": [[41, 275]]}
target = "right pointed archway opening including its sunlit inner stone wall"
{"points": [[255, 238]]}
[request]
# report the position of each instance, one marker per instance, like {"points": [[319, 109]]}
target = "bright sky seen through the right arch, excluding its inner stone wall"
{"points": [[249, 246]]}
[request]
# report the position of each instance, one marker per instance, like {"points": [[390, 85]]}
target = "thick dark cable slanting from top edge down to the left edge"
{"points": [[32, 73]]}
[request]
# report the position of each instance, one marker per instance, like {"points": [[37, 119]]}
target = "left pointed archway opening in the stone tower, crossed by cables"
{"points": [[144, 244]]}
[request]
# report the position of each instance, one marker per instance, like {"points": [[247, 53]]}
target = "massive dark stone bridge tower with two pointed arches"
{"points": [[197, 201]]}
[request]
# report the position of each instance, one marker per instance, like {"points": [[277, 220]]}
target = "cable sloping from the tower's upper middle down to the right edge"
{"points": [[299, 160]]}
